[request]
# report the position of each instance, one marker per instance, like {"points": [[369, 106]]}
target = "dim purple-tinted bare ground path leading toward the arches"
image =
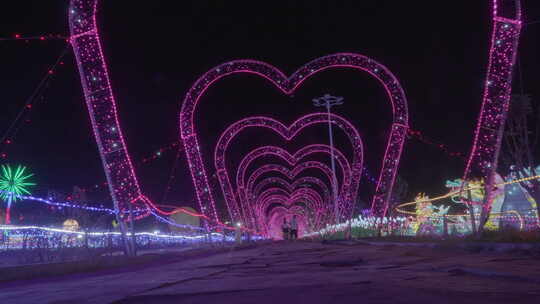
{"points": [[305, 272]]}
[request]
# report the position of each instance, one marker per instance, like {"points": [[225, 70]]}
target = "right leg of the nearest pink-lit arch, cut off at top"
{"points": [[484, 155]]}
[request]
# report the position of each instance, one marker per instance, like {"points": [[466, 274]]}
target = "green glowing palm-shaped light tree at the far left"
{"points": [[13, 184]]}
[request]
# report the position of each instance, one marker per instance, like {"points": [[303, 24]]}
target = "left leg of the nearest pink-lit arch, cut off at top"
{"points": [[101, 104]]}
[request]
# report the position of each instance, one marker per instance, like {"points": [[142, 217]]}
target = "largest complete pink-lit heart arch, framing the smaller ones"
{"points": [[288, 85]]}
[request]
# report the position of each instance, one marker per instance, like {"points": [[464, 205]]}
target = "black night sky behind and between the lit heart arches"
{"points": [[157, 49]]}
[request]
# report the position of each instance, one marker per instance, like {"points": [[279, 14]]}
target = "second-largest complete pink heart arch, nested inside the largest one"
{"points": [[288, 133]]}
